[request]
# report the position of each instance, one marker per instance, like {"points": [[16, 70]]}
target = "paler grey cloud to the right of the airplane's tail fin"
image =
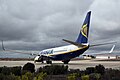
{"points": [[105, 26]]}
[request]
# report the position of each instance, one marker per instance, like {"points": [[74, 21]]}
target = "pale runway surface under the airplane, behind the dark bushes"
{"points": [[78, 64]]}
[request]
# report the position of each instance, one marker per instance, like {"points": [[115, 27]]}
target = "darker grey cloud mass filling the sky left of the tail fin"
{"points": [[39, 24]]}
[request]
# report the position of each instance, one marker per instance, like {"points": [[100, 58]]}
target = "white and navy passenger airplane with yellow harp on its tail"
{"points": [[66, 53]]}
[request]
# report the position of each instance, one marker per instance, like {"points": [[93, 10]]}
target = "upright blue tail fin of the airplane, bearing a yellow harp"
{"points": [[83, 36]]}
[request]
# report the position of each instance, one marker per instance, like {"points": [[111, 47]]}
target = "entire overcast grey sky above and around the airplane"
{"points": [[41, 24]]}
